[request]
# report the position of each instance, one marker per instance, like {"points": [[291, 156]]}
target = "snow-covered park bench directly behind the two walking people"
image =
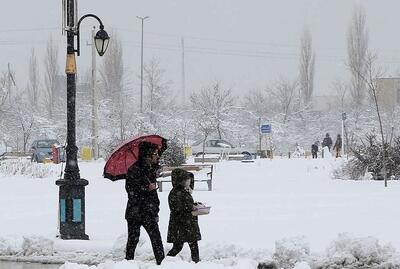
{"points": [[166, 172]]}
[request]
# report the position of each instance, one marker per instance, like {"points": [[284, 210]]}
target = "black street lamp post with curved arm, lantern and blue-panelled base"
{"points": [[72, 186]]}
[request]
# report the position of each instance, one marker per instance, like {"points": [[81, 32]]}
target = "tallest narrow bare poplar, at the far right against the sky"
{"points": [[357, 47]]}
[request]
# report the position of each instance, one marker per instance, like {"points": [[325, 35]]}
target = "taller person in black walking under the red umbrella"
{"points": [[143, 203]]}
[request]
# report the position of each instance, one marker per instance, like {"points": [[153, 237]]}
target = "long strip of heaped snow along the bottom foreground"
{"points": [[346, 251]]}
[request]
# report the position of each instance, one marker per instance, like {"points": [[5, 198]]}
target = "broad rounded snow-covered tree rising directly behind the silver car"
{"points": [[215, 106]]}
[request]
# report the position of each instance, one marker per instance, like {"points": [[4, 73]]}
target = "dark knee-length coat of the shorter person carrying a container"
{"points": [[183, 226]]}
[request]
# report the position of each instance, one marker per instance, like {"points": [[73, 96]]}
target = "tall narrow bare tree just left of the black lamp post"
{"points": [[52, 72]]}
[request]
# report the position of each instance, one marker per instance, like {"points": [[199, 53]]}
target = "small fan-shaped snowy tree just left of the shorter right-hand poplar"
{"points": [[284, 93]]}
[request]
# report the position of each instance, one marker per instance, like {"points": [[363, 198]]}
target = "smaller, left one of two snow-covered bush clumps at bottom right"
{"points": [[289, 251]]}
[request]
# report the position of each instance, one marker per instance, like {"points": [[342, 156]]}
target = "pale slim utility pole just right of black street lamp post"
{"points": [[95, 135]]}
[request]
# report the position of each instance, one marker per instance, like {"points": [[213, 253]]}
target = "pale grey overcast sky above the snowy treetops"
{"points": [[244, 44]]}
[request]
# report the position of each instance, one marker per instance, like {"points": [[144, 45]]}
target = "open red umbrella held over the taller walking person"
{"points": [[127, 154]]}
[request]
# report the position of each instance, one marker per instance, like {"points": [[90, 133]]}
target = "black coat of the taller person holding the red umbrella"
{"points": [[142, 203]]}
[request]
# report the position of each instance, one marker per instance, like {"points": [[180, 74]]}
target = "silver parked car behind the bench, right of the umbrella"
{"points": [[217, 146]]}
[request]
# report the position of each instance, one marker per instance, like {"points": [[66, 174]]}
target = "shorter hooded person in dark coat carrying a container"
{"points": [[183, 226]]}
